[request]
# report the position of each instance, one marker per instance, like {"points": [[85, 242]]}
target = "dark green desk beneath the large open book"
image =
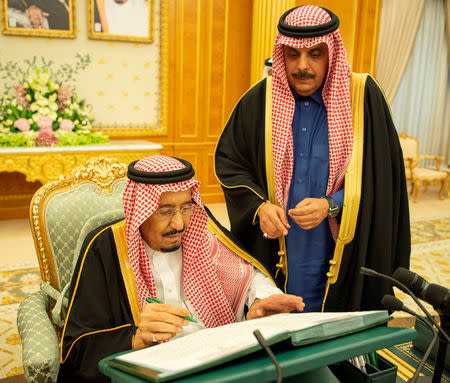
{"points": [[300, 363]]}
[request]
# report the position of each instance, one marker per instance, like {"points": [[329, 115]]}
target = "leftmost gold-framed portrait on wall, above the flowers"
{"points": [[45, 18]]}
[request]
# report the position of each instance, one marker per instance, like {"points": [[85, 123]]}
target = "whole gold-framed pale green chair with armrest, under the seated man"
{"points": [[61, 214]]}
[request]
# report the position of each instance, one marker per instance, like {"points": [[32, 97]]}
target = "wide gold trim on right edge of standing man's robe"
{"points": [[353, 178]]}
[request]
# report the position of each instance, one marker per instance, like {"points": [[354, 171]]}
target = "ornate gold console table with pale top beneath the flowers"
{"points": [[46, 164]]}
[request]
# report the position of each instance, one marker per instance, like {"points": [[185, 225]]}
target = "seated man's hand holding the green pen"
{"points": [[161, 320]]}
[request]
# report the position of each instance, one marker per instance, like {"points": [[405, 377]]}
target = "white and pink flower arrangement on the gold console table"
{"points": [[41, 108]]}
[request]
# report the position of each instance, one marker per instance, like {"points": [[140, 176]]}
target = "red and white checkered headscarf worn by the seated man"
{"points": [[215, 279]]}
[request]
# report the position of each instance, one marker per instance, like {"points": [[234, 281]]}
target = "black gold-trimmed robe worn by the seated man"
{"points": [[101, 320]]}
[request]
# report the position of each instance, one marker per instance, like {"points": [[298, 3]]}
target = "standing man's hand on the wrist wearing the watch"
{"points": [[310, 212]]}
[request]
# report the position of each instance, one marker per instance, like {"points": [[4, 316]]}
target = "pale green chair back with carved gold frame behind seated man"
{"points": [[59, 211]]}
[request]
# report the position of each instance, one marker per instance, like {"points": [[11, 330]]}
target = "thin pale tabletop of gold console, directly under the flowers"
{"points": [[109, 146]]}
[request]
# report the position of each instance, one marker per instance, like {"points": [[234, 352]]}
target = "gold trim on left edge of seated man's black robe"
{"points": [[120, 238]]}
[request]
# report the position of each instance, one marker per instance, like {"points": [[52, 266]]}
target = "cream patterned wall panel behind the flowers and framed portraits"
{"points": [[122, 81]]}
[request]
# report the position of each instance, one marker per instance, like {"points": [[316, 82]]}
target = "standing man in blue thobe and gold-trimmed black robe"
{"points": [[312, 171]]}
